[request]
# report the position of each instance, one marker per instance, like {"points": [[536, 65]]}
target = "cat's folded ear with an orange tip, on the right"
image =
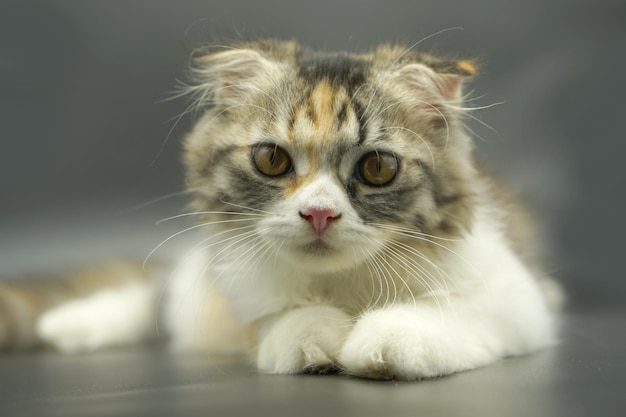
{"points": [[443, 81]]}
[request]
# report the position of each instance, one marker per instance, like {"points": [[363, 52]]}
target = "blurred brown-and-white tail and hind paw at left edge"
{"points": [[83, 311]]}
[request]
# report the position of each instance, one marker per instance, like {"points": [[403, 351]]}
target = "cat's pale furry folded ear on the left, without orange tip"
{"points": [[230, 76]]}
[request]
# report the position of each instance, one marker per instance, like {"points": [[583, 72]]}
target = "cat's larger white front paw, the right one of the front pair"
{"points": [[396, 345]]}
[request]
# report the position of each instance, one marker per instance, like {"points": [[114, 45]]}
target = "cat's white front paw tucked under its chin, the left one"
{"points": [[306, 340]]}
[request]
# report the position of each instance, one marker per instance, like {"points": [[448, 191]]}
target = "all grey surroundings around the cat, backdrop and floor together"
{"points": [[83, 122]]}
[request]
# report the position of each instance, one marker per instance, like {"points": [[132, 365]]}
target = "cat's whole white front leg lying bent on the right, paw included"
{"points": [[503, 315]]}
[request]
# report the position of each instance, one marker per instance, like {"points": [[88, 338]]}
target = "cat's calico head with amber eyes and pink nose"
{"points": [[325, 159]]}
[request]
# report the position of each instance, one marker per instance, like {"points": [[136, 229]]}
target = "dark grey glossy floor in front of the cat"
{"points": [[584, 376]]}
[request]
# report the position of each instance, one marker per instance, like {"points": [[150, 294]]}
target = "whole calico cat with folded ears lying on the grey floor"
{"points": [[349, 227]]}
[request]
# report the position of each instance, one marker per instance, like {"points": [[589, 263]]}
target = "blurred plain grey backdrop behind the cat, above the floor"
{"points": [[84, 128]]}
